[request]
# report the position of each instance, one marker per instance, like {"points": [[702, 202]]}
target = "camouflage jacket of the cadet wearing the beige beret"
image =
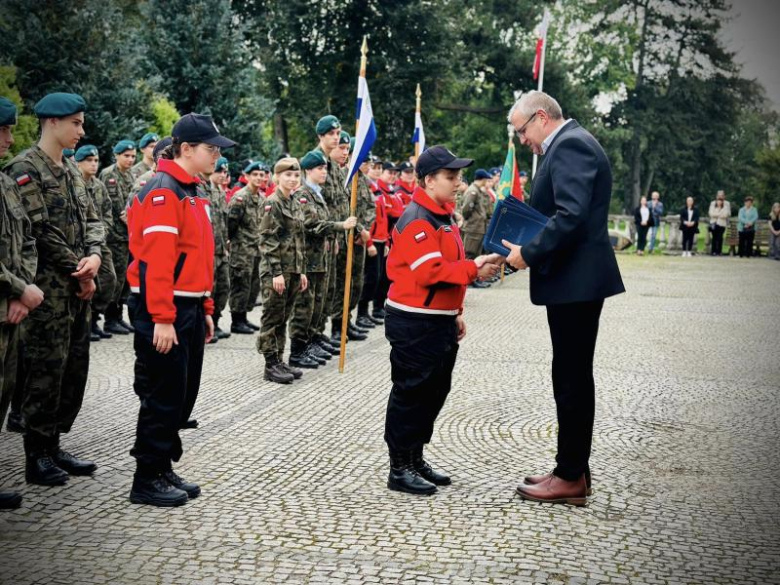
{"points": [[282, 239]]}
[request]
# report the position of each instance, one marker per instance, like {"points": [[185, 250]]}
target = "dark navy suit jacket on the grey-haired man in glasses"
{"points": [[571, 259]]}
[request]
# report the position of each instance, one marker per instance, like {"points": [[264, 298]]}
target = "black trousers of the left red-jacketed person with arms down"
{"points": [[166, 384]]}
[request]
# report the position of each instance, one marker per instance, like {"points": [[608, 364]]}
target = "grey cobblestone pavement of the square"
{"points": [[685, 457]]}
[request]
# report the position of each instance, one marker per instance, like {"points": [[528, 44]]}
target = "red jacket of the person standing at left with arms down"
{"points": [[171, 243]]}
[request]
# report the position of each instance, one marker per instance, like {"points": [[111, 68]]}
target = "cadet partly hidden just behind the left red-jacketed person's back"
{"points": [[218, 214]]}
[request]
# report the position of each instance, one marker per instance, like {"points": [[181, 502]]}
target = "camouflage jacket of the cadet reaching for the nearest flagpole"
{"points": [[320, 231]]}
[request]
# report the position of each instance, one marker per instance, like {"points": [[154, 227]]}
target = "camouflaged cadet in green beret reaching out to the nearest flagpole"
{"points": [[321, 232]]}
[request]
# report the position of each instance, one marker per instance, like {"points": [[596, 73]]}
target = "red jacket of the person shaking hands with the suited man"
{"points": [[427, 264]]}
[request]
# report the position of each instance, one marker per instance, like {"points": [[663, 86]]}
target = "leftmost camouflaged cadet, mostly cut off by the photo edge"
{"points": [[18, 294]]}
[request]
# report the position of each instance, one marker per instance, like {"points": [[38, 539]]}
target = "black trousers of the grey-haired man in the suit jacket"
{"points": [[573, 330]]}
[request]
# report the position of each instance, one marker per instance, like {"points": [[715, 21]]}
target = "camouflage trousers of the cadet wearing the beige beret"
{"points": [[277, 310]]}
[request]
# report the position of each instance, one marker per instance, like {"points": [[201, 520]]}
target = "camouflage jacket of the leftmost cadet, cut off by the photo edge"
{"points": [[18, 256]]}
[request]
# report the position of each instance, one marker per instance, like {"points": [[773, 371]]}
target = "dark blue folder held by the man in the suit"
{"points": [[515, 222]]}
